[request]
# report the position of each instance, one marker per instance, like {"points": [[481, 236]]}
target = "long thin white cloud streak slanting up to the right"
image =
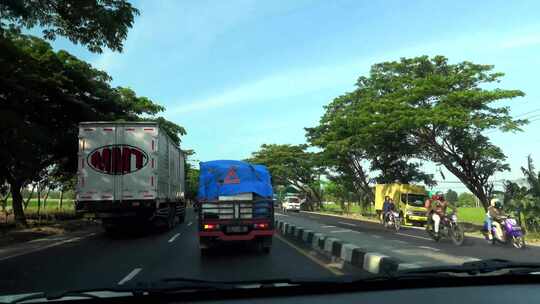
{"points": [[292, 82]]}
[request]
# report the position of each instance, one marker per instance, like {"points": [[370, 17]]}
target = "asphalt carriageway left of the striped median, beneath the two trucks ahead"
{"points": [[97, 260]]}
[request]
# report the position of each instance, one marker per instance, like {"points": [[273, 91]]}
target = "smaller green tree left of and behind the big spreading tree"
{"points": [[351, 152]]}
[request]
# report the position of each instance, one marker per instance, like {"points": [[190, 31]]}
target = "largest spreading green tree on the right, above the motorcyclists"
{"points": [[440, 110]]}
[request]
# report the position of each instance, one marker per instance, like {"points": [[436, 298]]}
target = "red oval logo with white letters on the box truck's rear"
{"points": [[117, 159]]}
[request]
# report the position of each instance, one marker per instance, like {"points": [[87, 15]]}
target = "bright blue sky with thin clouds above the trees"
{"points": [[238, 74]]}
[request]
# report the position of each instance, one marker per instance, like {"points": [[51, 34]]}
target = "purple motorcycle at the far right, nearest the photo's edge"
{"points": [[512, 234]]}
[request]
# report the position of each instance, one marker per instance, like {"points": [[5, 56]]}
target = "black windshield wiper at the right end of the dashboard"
{"points": [[476, 268]]}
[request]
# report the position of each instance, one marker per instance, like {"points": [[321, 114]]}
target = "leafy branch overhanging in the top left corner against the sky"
{"points": [[93, 23]]}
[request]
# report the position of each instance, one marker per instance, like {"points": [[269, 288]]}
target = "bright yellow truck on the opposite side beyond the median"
{"points": [[409, 200]]}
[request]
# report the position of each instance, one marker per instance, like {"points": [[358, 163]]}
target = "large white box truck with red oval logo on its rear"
{"points": [[130, 172]]}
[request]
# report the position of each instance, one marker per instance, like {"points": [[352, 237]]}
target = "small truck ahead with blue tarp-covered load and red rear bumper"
{"points": [[235, 204]]}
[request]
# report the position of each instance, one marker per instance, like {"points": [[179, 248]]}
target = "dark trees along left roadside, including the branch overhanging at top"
{"points": [[45, 93]]}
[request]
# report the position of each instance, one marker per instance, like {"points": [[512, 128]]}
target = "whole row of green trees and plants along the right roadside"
{"points": [[401, 114]]}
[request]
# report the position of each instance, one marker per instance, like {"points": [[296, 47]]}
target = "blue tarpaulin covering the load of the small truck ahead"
{"points": [[232, 177]]}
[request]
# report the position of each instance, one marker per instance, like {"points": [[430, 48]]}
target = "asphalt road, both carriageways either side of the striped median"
{"points": [[96, 260]]}
